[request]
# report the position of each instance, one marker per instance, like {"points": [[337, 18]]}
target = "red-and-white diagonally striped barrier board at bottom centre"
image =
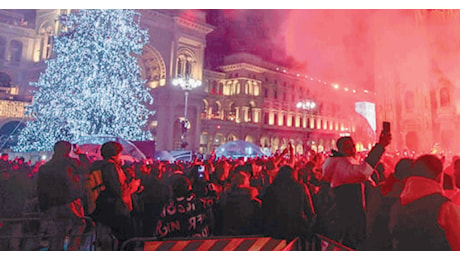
{"points": [[218, 243]]}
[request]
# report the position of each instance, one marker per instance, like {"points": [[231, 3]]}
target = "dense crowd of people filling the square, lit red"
{"points": [[366, 201]]}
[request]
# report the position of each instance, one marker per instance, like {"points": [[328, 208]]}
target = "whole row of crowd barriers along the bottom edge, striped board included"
{"points": [[26, 234]]}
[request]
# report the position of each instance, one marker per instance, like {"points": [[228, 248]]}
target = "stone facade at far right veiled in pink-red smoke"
{"points": [[417, 79]]}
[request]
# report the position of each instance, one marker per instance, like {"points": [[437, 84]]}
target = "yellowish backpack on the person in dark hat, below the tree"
{"points": [[93, 186]]}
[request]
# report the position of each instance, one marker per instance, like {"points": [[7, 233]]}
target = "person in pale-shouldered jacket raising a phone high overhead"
{"points": [[346, 176]]}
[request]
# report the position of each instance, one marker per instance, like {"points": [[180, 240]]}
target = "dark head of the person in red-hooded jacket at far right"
{"points": [[428, 166]]}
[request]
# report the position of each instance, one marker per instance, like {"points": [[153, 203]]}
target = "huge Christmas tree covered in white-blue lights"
{"points": [[93, 84]]}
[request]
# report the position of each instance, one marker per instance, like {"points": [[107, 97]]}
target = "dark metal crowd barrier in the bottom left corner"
{"points": [[27, 234]]}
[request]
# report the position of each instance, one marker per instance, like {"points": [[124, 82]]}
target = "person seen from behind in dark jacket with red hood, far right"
{"points": [[424, 218]]}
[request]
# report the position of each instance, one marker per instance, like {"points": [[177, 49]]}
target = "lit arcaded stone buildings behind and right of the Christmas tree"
{"points": [[245, 98]]}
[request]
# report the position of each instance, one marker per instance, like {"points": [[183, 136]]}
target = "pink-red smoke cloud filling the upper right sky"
{"points": [[395, 52]]}
